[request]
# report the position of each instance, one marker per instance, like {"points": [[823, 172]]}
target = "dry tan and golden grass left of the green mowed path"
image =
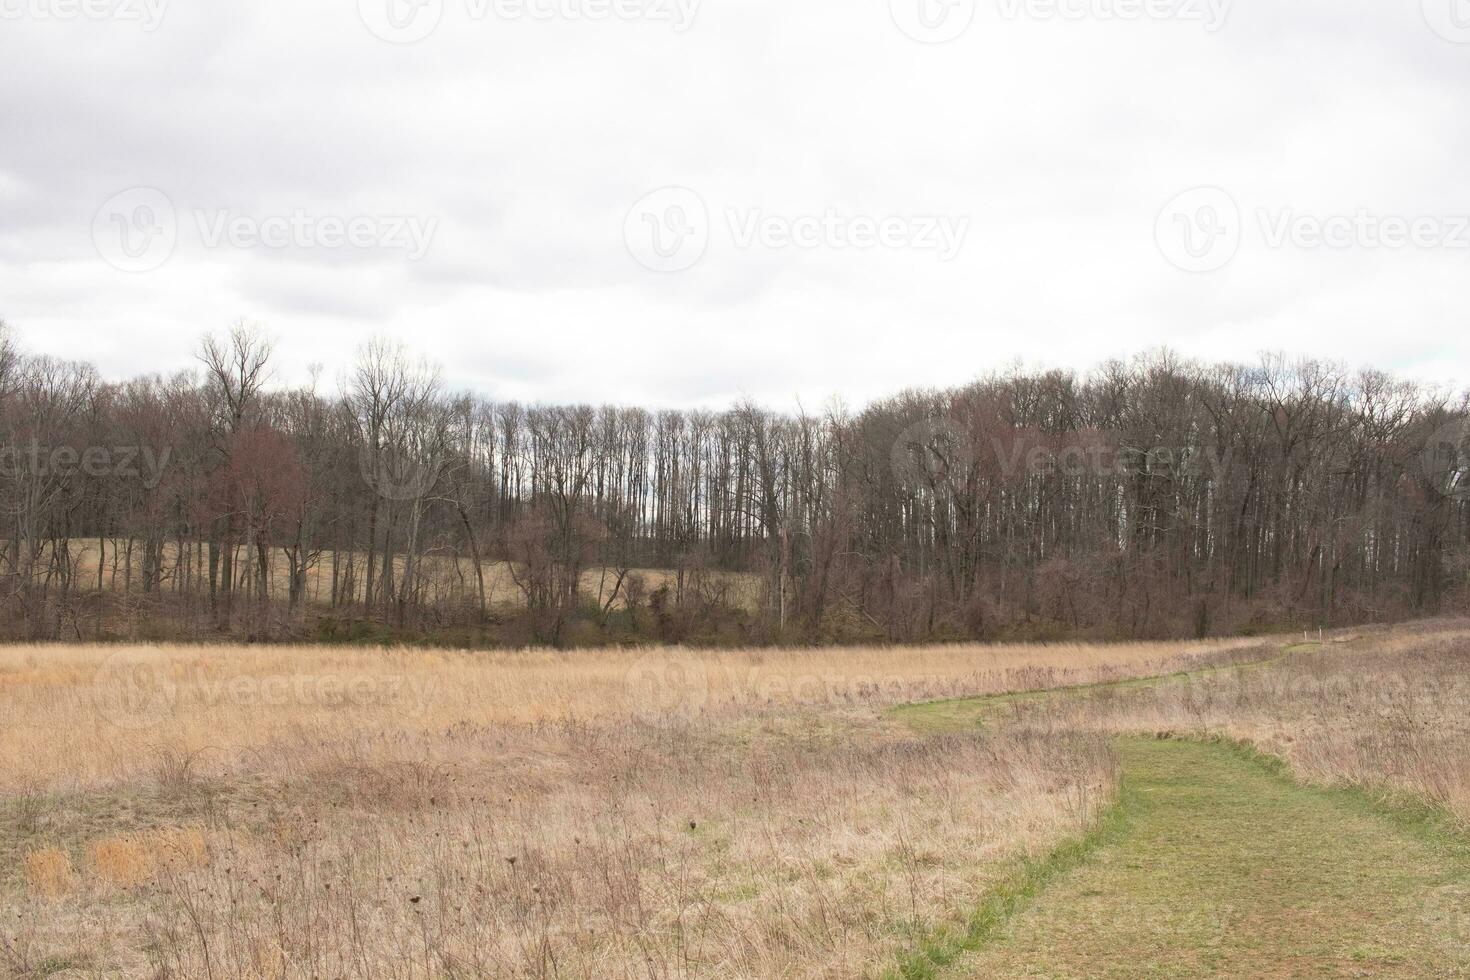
{"points": [[305, 812]]}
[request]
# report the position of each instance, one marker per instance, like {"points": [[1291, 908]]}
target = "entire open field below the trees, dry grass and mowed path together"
{"points": [[193, 812]]}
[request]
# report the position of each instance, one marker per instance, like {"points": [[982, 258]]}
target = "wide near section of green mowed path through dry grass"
{"points": [[1224, 868]]}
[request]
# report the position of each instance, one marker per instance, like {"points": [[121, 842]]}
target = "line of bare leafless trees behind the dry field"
{"points": [[1150, 499]]}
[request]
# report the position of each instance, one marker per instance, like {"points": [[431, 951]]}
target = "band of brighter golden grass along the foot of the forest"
{"points": [[87, 716]]}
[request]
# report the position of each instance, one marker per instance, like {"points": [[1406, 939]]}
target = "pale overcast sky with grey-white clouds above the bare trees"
{"points": [[683, 202]]}
